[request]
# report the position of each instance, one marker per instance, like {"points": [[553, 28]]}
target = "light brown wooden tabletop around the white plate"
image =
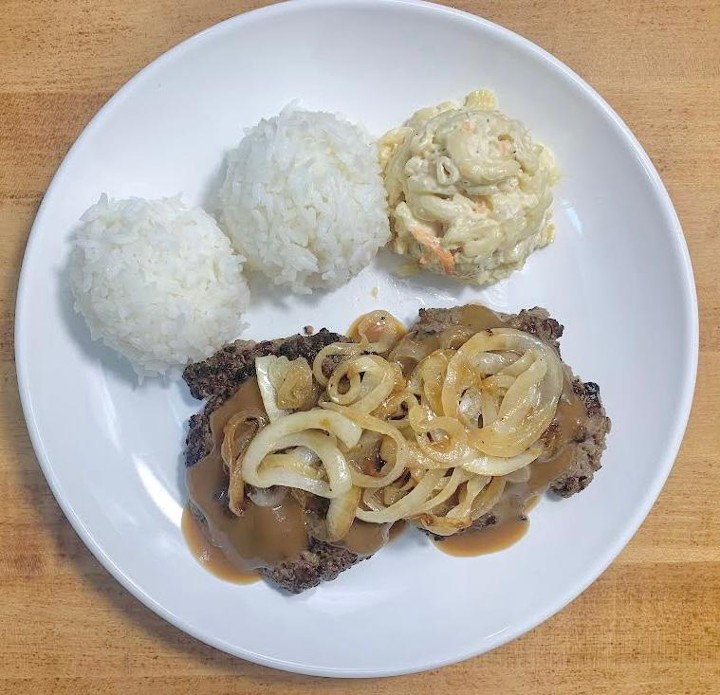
{"points": [[649, 625]]}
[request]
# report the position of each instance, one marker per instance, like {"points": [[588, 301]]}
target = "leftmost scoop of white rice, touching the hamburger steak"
{"points": [[157, 281]]}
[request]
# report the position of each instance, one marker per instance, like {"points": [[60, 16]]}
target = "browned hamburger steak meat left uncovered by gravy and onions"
{"points": [[217, 378]]}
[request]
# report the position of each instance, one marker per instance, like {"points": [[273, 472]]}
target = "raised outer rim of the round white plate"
{"points": [[664, 467]]}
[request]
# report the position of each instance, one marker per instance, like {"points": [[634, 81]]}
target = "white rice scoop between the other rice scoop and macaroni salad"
{"points": [[303, 200]]}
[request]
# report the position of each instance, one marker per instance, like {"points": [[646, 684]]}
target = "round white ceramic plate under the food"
{"points": [[618, 276]]}
